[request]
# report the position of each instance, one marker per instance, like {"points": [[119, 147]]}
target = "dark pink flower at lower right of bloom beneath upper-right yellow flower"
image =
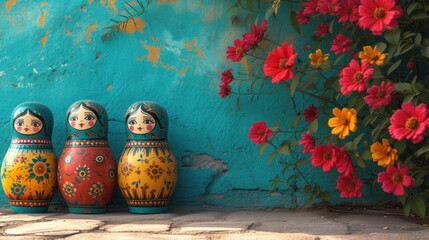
{"points": [[379, 96]]}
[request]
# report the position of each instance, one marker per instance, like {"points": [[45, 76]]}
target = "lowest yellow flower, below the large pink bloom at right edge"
{"points": [[383, 154]]}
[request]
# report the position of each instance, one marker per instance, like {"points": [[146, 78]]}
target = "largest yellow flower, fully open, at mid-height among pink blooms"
{"points": [[344, 121]]}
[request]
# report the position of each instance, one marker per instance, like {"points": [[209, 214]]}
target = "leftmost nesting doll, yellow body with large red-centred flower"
{"points": [[29, 168]]}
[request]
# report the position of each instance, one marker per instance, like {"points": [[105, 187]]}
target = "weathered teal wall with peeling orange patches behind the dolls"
{"points": [[53, 52]]}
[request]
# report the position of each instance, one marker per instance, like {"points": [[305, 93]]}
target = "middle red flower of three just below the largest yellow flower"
{"points": [[324, 156]]}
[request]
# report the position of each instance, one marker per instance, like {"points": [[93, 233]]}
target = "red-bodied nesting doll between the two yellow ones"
{"points": [[86, 168]]}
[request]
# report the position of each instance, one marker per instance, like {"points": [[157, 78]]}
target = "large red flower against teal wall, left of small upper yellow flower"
{"points": [[280, 62]]}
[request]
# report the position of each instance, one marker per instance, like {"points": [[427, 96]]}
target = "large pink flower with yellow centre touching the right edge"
{"points": [[409, 122]]}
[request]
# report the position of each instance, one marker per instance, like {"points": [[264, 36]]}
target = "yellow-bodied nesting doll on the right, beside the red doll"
{"points": [[147, 173]]}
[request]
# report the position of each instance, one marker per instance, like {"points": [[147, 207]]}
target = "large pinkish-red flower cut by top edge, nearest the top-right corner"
{"points": [[379, 14]]}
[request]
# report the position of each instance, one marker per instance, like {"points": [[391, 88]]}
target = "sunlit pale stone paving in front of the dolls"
{"points": [[208, 223]]}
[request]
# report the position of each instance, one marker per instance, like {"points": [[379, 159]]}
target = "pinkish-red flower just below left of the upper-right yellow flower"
{"points": [[354, 77]]}
